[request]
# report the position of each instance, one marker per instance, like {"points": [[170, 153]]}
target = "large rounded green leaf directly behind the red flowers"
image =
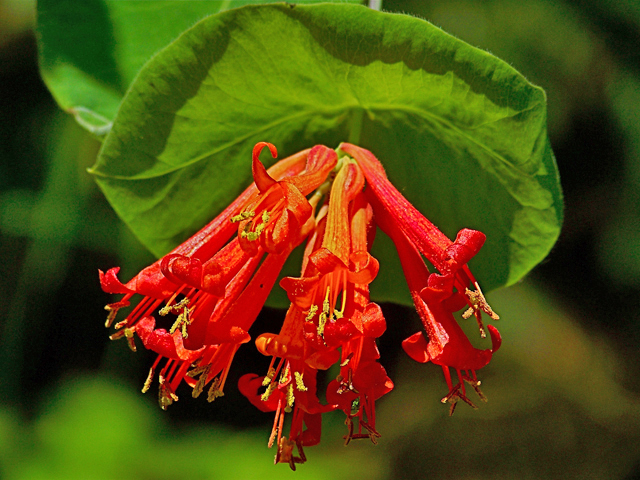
{"points": [[460, 132]]}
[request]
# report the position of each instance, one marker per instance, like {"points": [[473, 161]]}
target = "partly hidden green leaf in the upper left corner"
{"points": [[91, 51]]}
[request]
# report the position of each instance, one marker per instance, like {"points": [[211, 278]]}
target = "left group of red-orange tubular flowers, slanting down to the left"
{"points": [[221, 286]]}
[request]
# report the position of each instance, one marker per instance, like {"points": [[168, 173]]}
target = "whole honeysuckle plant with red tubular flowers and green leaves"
{"points": [[385, 122]]}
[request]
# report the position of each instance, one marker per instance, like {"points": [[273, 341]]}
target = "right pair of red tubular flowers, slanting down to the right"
{"points": [[435, 296]]}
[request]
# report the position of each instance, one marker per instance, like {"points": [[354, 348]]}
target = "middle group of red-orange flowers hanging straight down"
{"points": [[330, 320]]}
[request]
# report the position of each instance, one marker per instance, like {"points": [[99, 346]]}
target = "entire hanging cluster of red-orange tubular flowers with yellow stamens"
{"points": [[214, 285]]}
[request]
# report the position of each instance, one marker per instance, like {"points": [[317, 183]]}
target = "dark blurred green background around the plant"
{"points": [[563, 390]]}
